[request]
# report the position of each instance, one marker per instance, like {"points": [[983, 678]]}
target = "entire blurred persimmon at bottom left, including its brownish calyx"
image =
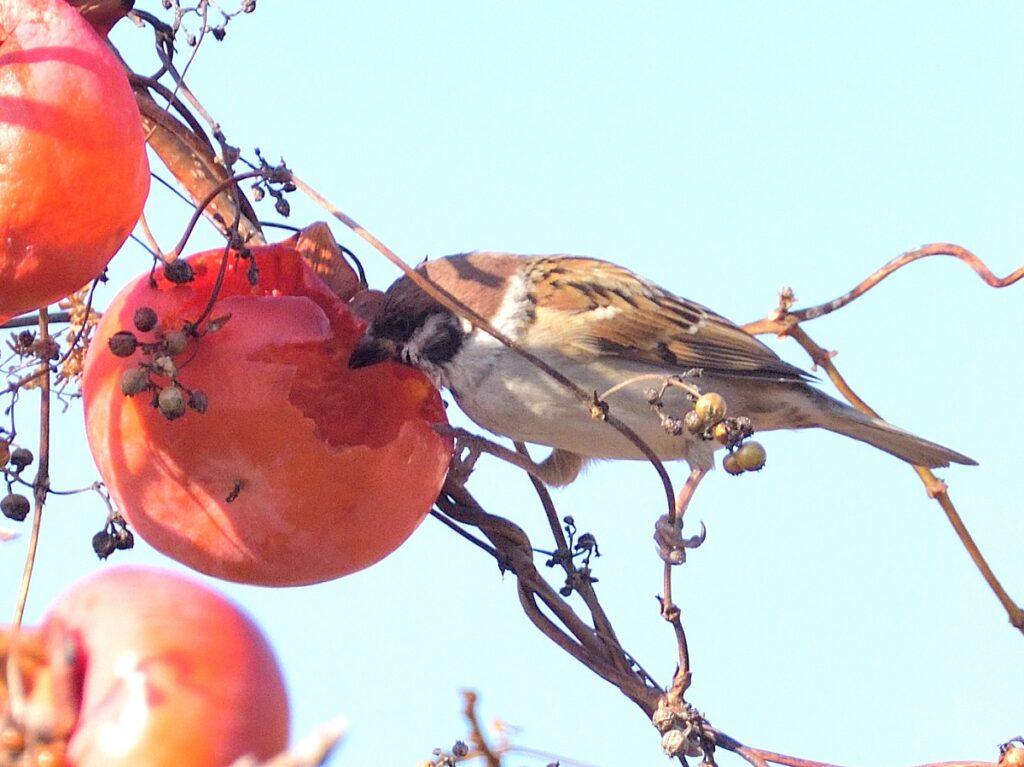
{"points": [[140, 668]]}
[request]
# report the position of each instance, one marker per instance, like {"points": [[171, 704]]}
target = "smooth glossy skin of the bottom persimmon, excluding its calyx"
{"points": [[172, 674]]}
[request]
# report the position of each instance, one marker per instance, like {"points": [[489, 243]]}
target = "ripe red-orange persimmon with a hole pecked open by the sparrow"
{"points": [[247, 449]]}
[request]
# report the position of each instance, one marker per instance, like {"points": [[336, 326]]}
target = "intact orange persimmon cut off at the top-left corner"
{"points": [[73, 168]]}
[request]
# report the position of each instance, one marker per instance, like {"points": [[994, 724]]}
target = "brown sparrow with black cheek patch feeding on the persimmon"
{"points": [[606, 329]]}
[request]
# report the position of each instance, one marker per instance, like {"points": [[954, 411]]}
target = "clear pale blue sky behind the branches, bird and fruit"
{"points": [[723, 150]]}
